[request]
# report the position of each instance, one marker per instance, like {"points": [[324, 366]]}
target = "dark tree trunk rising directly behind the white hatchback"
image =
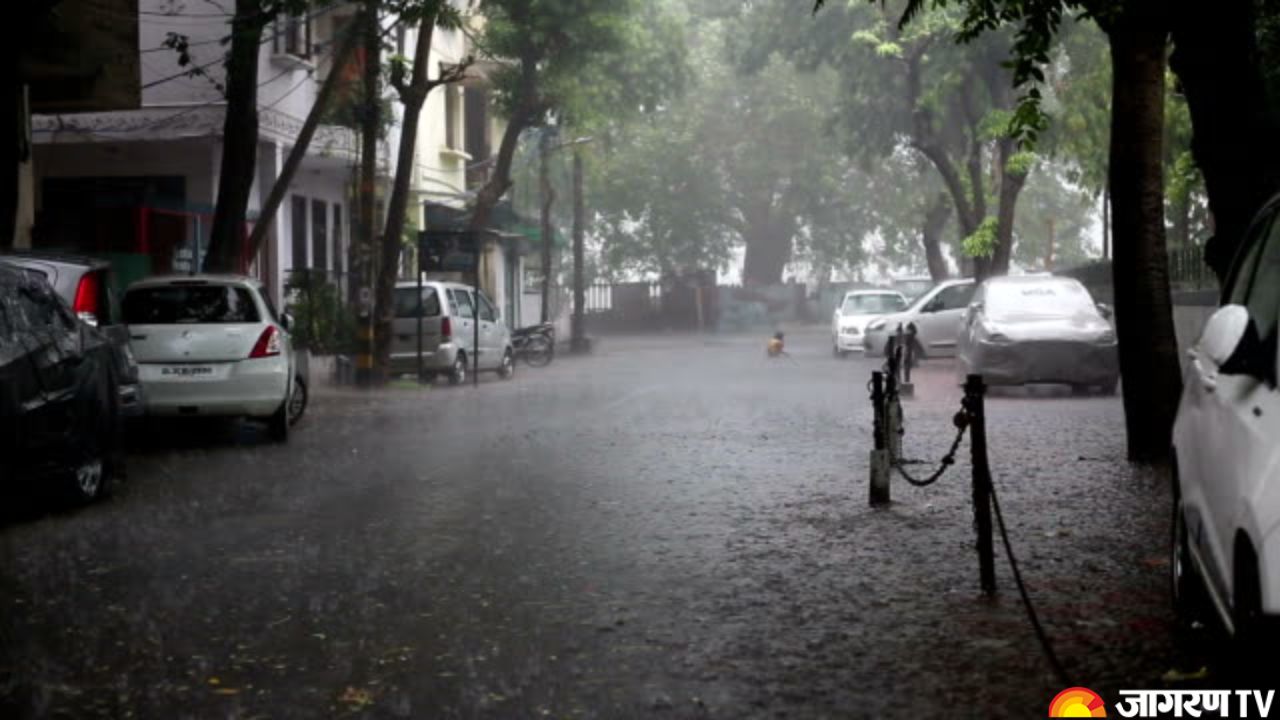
{"points": [[240, 140]]}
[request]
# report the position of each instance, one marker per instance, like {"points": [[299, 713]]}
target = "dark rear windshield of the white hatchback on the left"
{"points": [[182, 304]]}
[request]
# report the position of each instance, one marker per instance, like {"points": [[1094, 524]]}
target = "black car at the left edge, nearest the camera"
{"points": [[60, 400]]}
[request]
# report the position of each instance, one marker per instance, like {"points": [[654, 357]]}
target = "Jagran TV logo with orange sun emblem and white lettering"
{"points": [[1084, 703]]}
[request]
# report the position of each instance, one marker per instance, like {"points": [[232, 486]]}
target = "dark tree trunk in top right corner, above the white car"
{"points": [[1236, 139]]}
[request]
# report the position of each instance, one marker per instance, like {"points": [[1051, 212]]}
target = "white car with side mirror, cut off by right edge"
{"points": [[1227, 471]]}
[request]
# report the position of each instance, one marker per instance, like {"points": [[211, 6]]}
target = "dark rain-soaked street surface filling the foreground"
{"points": [[675, 527]]}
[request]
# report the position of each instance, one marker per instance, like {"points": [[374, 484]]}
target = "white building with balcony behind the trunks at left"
{"points": [[141, 185]]}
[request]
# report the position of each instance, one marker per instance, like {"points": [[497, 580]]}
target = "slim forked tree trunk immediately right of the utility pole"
{"points": [[413, 97]]}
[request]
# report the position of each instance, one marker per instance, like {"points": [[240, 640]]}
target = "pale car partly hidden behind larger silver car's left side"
{"points": [[938, 316]]}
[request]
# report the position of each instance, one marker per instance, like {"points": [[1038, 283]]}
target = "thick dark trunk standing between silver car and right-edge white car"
{"points": [[1149, 348]]}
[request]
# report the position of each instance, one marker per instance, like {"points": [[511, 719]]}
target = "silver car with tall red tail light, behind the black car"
{"points": [[86, 285]]}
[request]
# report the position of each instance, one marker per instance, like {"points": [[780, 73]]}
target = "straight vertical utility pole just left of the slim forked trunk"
{"points": [[369, 122]]}
